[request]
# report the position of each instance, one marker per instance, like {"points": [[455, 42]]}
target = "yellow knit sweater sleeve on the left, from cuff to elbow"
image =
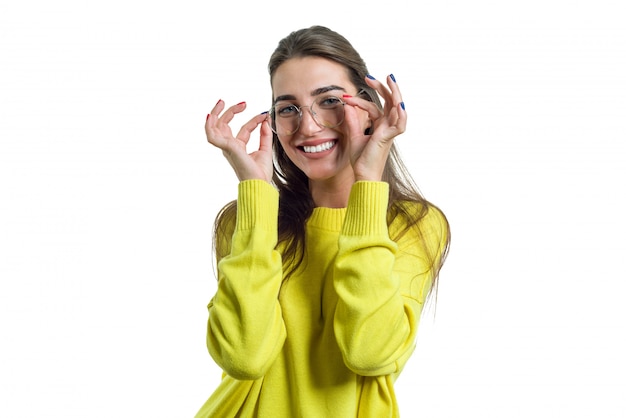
{"points": [[245, 329]]}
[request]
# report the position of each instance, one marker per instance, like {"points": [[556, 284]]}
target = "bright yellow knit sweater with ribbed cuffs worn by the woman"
{"points": [[331, 339]]}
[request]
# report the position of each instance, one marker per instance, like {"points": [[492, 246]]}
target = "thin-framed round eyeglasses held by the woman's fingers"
{"points": [[327, 111]]}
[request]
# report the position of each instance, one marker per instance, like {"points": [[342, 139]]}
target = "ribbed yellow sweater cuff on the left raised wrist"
{"points": [[257, 205]]}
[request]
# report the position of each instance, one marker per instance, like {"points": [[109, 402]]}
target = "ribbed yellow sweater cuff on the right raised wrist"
{"points": [[367, 209]]}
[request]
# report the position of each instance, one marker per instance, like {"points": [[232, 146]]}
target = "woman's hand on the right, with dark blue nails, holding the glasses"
{"points": [[369, 152]]}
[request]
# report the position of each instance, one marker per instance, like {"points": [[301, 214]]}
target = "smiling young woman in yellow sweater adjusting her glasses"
{"points": [[329, 253]]}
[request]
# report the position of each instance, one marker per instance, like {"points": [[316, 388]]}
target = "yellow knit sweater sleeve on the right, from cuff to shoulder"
{"points": [[381, 284]]}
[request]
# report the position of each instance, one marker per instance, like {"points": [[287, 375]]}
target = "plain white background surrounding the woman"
{"points": [[108, 191]]}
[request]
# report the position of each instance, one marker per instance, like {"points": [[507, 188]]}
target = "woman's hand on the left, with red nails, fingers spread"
{"points": [[247, 166]]}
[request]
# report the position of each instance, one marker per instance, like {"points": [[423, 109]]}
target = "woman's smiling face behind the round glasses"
{"points": [[322, 153]]}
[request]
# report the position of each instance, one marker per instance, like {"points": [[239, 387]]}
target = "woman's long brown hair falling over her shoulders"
{"points": [[295, 201]]}
